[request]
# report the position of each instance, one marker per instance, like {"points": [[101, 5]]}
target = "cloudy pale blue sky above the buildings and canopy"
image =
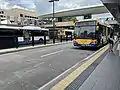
{"points": [[43, 6]]}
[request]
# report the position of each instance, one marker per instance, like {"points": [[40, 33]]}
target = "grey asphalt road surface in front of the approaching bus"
{"points": [[30, 69]]}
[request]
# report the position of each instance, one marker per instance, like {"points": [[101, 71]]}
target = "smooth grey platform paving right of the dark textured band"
{"points": [[106, 76]]}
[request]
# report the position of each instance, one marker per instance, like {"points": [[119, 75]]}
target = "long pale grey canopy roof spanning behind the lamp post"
{"points": [[95, 9]]}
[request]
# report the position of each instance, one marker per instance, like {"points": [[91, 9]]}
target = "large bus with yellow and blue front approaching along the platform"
{"points": [[91, 33]]}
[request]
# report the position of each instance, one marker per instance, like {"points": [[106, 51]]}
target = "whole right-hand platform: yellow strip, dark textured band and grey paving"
{"points": [[102, 74]]}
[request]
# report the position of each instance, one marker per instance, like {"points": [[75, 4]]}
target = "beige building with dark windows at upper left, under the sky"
{"points": [[18, 16]]}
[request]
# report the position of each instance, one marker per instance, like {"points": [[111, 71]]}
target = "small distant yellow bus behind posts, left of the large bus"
{"points": [[65, 33]]}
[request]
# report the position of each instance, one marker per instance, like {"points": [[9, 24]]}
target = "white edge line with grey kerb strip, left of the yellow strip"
{"points": [[57, 79]]}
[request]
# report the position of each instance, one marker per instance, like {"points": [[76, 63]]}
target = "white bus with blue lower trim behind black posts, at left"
{"points": [[26, 37]]}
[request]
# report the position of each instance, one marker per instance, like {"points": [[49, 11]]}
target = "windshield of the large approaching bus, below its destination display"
{"points": [[85, 31]]}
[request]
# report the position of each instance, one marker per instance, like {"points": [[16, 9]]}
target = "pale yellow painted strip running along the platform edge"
{"points": [[71, 77]]}
